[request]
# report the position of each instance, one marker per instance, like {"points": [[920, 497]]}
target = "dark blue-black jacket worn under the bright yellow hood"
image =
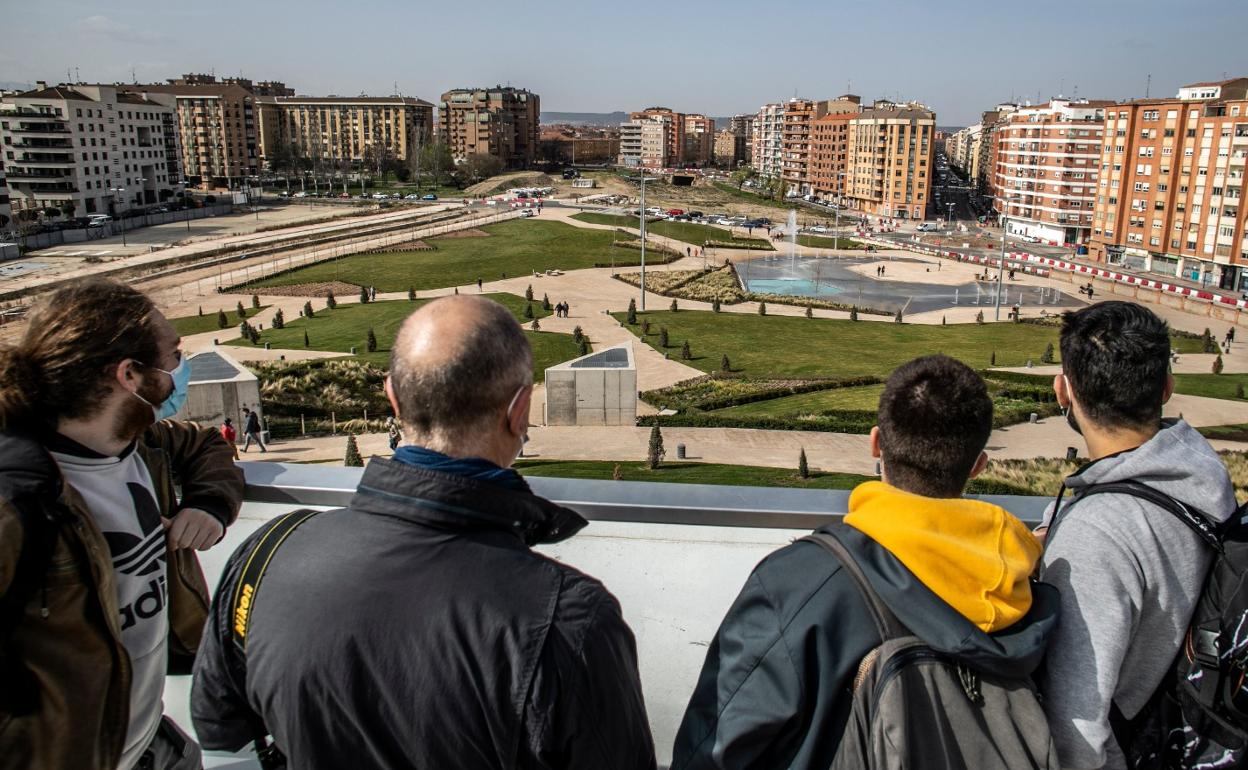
{"points": [[776, 691]]}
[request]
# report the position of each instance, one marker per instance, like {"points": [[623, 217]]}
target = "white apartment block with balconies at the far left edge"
{"points": [[88, 149]]}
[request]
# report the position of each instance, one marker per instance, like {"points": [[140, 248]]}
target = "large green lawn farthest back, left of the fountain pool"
{"points": [[517, 248]]}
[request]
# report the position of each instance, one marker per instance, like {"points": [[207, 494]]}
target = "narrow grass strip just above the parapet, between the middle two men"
{"points": [[692, 474]]}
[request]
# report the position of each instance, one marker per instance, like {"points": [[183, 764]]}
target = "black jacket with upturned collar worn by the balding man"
{"points": [[417, 630]]}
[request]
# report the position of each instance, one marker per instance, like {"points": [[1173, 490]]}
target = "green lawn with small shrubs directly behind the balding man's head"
{"points": [[346, 326]]}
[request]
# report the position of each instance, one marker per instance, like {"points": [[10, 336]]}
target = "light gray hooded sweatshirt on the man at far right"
{"points": [[1129, 575]]}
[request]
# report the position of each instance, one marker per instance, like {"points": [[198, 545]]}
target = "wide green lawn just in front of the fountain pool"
{"points": [[787, 346]]}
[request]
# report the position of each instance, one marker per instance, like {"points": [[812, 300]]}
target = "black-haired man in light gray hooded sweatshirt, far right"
{"points": [[1129, 572]]}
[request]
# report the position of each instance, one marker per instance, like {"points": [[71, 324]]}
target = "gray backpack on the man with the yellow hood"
{"points": [[919, 709]]}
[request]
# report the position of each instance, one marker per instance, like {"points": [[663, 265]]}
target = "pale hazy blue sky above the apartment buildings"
{"points": [[718, 58]]}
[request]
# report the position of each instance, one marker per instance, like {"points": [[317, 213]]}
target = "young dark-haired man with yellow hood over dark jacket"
{"points": [[776, 691]]}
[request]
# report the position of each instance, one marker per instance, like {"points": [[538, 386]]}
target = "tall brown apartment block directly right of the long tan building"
{"points": [[501, 122]]}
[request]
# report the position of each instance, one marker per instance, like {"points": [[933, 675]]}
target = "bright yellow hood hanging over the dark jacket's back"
{"points": [[975, 556]]}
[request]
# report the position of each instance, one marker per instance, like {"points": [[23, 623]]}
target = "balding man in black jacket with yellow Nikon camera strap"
{"points": [[417, 628]]}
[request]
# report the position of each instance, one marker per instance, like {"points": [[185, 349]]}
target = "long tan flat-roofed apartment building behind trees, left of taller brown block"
{"points": [[361, 132]]}
